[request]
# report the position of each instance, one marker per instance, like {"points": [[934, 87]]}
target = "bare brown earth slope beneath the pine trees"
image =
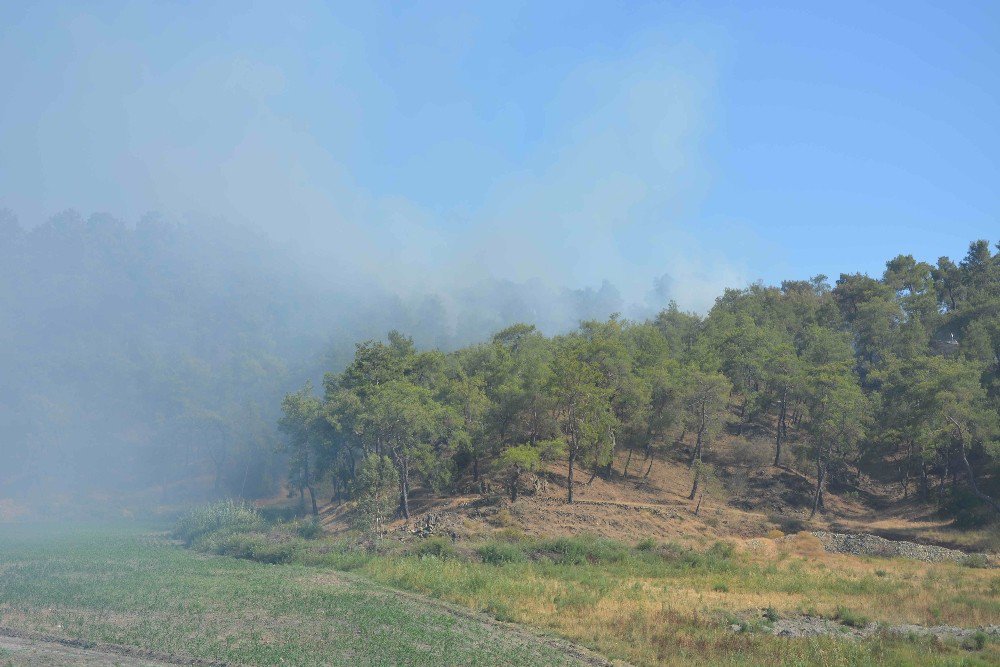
{"points": [[746, 498]]}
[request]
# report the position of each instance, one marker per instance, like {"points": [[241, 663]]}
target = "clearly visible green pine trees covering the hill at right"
{"points": [[896, 377]]}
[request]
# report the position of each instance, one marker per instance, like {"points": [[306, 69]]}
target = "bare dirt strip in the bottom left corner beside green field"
{"points": [[21, 649]]}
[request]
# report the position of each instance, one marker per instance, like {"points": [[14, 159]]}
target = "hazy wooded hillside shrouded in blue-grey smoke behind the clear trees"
{"points": [[157, 353]]}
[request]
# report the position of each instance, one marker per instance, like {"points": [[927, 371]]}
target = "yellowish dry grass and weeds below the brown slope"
{"points": [[666, 603]]}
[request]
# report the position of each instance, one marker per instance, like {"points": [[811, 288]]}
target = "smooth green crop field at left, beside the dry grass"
{"points": [[129, 587]]}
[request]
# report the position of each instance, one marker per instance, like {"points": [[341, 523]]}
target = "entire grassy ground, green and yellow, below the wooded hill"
{"points": [[648, 604]]}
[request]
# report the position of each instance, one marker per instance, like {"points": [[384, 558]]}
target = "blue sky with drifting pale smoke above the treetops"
{"points": [[429, 145]]}
